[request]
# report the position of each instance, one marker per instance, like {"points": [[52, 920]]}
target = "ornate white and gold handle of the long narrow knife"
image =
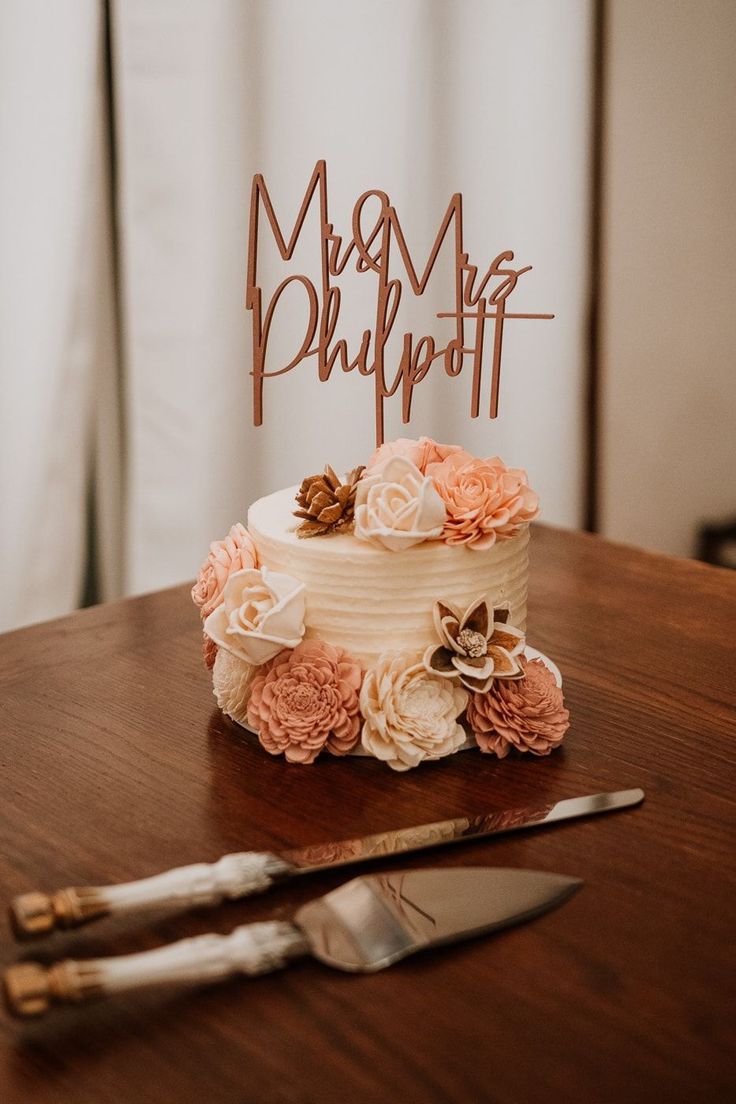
{"points": [[234, 876]]}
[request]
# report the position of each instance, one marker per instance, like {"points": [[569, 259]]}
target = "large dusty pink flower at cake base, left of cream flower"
{"points": [[307, 700]]}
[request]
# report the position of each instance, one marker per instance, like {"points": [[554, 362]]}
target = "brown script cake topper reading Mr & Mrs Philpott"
{"points": [[476, 302]]}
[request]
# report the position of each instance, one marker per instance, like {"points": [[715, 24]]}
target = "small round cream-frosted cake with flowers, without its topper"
{"points": [[383, 612]]}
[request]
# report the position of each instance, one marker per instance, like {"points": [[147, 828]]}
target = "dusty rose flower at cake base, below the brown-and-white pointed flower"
{"points": [[528, 715]]}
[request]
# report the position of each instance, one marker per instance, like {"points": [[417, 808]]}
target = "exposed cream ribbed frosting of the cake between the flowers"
{"points": [[367, 600]]}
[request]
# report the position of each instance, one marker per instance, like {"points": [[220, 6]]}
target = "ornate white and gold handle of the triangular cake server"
{"points": [[31, 989]]}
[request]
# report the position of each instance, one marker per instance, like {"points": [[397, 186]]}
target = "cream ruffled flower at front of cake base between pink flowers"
{"points": [[410, 715]]}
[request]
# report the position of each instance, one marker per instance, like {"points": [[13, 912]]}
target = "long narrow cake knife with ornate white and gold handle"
{"points": [[248, 873]]}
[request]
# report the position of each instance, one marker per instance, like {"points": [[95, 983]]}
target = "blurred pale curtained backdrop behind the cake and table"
{"points": [[595, 139]]}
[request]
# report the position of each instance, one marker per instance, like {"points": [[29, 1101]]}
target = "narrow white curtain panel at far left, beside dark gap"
{"points": [[58, 351]]}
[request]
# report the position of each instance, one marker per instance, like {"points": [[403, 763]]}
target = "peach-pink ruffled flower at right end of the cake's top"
{"points": [[485, 501]]}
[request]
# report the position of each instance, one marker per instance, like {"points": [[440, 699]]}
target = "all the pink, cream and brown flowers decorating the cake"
{"points": [[305, 697]]}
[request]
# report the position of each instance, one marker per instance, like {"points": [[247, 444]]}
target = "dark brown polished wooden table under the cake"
{"points": [[115, 765]]}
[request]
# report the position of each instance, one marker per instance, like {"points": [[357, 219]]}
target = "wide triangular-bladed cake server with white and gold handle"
{"points": [[362, 927]]}
